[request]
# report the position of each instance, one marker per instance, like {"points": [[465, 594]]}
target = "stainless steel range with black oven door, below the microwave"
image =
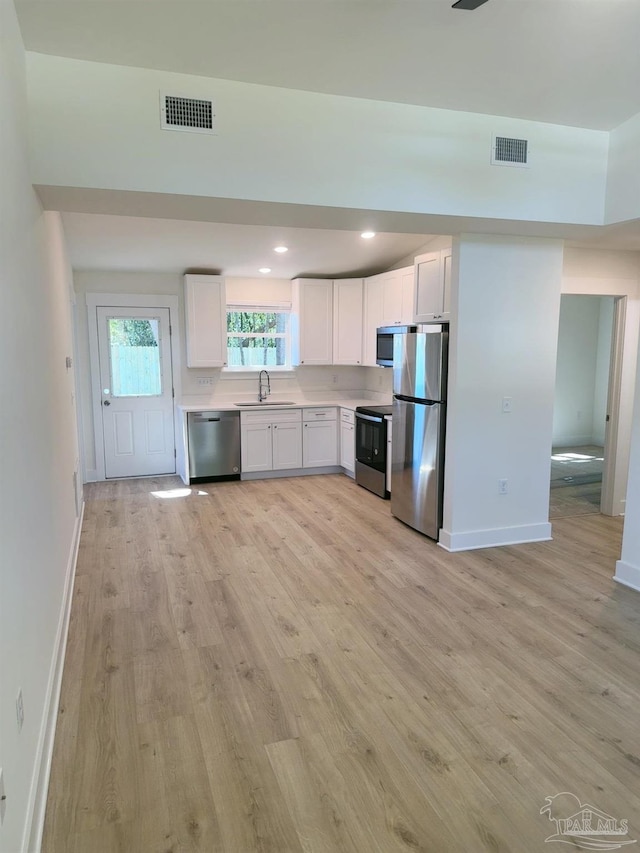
{"points": [[371, 448]]}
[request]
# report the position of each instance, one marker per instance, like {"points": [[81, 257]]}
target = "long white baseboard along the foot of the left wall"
{"points": [[34, 823]]}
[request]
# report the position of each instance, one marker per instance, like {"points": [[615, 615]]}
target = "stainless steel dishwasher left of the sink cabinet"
{"points": [[214, 445]]}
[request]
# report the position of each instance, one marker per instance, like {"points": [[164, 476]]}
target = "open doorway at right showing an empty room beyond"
{"points": [[584, 405]]}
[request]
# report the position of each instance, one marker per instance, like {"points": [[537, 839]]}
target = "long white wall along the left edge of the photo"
{"points": [[38, 507]]}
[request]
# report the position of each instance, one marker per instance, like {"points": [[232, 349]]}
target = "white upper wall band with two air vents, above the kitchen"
{"points": [[97, 125]]}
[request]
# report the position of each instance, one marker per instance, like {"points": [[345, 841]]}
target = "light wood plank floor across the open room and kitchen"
{"points": [[280, 665]]}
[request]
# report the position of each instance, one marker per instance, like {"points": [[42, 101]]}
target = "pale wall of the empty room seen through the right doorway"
{"points": [[582, 370]]}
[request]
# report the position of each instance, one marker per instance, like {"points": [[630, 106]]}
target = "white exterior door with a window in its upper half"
{"points": [[136, 389]]}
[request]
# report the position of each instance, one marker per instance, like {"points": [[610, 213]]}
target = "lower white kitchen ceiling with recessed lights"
{"points": [[98, 241]]}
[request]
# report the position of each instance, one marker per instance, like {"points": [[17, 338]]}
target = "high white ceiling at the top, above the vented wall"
{"points": [[571, 62]]}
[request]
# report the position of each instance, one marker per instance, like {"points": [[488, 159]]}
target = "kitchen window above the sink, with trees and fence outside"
{"points": [[258, 337]]}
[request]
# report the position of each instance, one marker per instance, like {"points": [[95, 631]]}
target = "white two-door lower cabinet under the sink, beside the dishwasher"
{"points": [[271, 441]]}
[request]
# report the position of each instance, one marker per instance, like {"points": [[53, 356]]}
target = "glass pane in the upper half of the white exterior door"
{"points": [[134, 356]]}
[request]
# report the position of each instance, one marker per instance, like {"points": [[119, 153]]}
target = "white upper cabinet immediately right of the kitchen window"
{"points": [[312, 308]]}
